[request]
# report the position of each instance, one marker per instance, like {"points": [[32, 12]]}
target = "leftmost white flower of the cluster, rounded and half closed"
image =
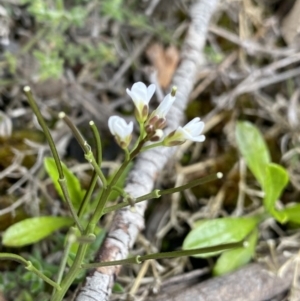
{"points": [[121, 130]]}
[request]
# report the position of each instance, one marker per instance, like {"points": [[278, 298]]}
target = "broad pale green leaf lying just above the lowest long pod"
{"points": [[218, 231]]}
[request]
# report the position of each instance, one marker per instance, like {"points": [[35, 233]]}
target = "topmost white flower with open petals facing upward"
{"points": [[141, 95]]}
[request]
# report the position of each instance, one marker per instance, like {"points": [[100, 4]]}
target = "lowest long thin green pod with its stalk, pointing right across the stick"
{"points": [[181, 253]]}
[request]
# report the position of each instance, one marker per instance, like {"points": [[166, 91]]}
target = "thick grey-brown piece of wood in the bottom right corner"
{"points": [[251, 283]]}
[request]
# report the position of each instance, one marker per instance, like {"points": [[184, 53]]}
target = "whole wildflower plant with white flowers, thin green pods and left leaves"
{"points": [[83, 221]]}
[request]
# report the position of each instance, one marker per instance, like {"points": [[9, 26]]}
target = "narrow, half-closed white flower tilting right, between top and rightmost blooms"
{"points": [[157, 118]]}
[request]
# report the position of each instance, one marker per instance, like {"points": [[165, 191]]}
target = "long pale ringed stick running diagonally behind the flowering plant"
{"points": [[126, 223]]}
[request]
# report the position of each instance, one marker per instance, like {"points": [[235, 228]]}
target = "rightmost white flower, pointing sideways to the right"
{"points": [[191, 131]]}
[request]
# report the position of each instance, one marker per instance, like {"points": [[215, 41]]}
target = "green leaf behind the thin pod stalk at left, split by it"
{"points": [[75, 192]]}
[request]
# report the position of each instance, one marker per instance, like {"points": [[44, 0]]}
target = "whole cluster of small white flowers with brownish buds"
{"points": [[151, 125]]}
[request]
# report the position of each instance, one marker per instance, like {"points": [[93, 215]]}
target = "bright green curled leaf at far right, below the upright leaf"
{"points": [[275, 181]]}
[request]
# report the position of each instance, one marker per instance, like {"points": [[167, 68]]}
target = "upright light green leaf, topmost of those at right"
{"points": [[253, 148]]}
